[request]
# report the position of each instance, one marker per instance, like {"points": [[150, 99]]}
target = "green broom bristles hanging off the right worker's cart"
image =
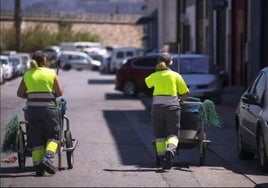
{"points": [[209, 114]]}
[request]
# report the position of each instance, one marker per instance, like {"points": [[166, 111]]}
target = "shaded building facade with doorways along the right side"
{"points": [[233, 32]]}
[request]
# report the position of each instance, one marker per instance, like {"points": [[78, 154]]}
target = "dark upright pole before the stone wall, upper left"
{"points": [[18, 19]]}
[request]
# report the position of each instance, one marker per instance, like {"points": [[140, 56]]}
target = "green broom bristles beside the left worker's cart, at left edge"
{"points": [[10, 139]]}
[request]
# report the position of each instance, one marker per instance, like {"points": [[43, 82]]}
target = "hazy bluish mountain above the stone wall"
{"points": [[79, 6]]}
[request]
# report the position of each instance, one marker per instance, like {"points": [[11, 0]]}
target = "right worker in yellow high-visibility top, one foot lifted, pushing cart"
{"points": [[169, 91]]}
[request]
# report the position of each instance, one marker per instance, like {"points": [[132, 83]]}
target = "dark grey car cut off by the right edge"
{"points": [[251, 119]]}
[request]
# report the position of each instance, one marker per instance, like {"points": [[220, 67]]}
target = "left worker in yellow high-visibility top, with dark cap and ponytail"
{"points": [[40, 86]]}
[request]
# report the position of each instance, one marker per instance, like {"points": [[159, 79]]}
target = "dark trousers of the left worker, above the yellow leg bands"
{"points": [[43, 125]]}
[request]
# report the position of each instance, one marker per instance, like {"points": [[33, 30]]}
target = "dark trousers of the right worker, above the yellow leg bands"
{"points": [[166, 120]]}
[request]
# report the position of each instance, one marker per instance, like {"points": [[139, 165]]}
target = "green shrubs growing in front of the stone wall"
{"points": [[40, 36]]}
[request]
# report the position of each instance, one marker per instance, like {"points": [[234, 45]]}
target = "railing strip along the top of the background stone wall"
{"points": [[71, 16]]}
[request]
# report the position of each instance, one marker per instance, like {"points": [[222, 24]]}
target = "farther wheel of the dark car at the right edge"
{"points": [[242, 153]]}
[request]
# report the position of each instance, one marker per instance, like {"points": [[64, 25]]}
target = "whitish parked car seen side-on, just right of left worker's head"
{"points": [[77, 60]]}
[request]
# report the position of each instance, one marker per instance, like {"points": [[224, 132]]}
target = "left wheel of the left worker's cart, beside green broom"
{"points": [[21, 148]]}
